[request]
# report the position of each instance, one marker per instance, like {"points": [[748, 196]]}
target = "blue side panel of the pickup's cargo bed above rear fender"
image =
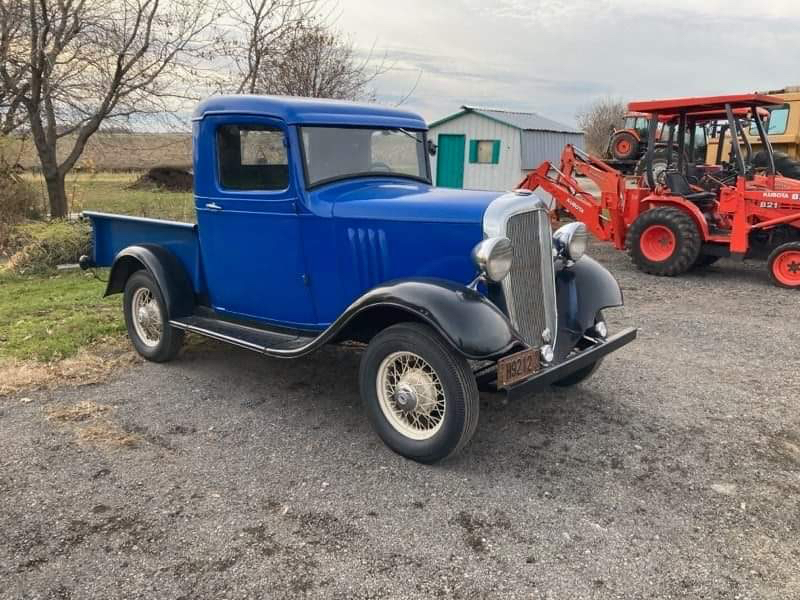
{"points": [[112, 233]]}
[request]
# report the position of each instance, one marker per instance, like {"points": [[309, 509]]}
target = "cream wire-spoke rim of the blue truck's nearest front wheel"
{"points": [[411, 395]]}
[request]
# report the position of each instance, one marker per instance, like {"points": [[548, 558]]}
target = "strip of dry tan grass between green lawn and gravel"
{"points": [[89, 366]]}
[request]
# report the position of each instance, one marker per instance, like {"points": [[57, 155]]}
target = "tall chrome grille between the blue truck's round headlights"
{"points": [[529, 288]]}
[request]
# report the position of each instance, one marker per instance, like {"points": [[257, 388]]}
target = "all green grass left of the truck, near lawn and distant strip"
{"points": [[52, 315]]}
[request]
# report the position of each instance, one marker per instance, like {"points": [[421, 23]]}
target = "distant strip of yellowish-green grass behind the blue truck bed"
{"points": [[109, 192]]}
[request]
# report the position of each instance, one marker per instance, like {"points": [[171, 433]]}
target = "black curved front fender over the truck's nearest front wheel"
{"points": [[474, 326]]}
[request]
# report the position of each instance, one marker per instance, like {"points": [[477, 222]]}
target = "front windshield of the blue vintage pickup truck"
{"points": [[332, 153]]}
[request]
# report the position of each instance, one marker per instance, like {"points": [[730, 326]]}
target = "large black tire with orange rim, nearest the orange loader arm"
{"points": [[664, 241]]}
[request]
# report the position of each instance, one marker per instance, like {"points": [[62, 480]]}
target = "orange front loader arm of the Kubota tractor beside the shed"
{"points": [[603, 216]]}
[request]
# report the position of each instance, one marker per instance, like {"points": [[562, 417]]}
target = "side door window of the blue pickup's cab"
{"points": [[252, 157]]}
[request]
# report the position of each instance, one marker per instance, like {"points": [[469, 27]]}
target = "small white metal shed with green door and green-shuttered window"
{"points": [[492, 149]]}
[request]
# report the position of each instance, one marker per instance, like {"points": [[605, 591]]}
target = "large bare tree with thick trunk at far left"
{"points": [[69, 66]]}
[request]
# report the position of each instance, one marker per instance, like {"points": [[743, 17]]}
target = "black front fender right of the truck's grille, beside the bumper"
{"points": [[582, 290]]}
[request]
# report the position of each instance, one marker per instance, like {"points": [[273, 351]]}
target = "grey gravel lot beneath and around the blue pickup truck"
{"points": [[673, 473]]}
